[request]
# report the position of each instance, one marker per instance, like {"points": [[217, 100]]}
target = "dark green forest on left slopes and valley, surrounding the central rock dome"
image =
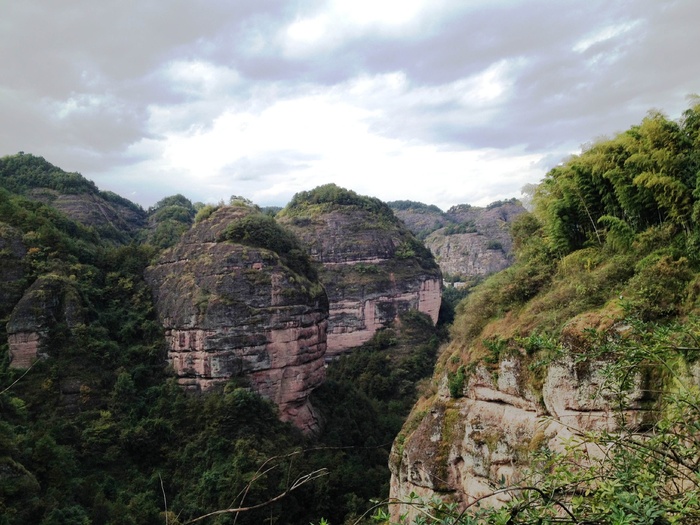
{"points": [[94, 427]]}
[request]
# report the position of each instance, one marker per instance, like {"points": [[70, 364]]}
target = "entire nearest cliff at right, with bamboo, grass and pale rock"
{"points": [[570, 390]]}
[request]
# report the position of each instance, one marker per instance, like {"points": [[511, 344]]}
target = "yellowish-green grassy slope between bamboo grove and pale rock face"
{"points": [[545, 297]]}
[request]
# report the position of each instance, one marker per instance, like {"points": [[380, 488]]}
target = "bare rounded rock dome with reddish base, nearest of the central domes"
{"points": [[234, 310]]}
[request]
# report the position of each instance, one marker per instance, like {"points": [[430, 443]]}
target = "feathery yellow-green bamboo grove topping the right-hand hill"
{"points": [[644, 177]]}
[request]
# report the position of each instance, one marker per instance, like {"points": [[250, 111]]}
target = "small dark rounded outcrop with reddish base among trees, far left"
{"points": [[49, 303]]}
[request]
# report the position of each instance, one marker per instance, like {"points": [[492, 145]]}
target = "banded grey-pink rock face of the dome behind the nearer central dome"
{"points": [[373, 268]]}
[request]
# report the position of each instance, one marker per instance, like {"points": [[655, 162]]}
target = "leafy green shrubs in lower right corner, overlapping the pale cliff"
{"points": [[647, 472]]}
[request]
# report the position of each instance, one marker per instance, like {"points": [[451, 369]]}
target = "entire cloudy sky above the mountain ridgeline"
{"points": [[439, 101]]}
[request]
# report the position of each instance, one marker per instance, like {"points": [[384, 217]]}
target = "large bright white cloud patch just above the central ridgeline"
{"points": [[328, 135]]}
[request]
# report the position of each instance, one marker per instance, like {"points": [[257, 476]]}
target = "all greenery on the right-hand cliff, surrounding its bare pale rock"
{"points": [[608, 270]]}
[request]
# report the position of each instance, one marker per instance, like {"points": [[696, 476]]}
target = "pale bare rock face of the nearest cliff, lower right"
{"points": [[462, 448]]}
